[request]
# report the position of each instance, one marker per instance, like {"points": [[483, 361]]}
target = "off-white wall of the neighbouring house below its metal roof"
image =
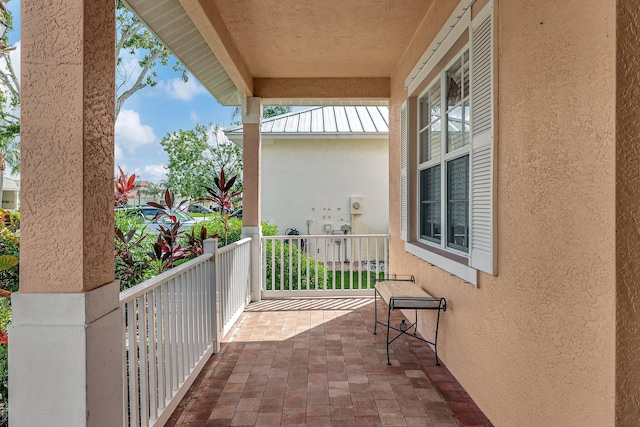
{"points": [[314, 179]]}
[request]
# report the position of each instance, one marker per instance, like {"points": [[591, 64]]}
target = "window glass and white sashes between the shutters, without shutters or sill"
{"points": [[448, 163]]}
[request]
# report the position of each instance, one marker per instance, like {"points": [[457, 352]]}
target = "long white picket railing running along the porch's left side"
{"points": [[173, 324]]}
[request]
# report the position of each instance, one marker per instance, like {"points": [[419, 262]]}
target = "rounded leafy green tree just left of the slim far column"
{"points": [[196, 156]]}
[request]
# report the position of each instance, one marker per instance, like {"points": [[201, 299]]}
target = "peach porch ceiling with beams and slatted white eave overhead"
{"points": [[288, 51]]}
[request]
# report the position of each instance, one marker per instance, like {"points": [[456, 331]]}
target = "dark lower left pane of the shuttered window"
{"points": [[430, 222]]}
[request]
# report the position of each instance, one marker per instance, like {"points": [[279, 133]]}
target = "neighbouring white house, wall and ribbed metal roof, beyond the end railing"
{"points": [[315, 162]]}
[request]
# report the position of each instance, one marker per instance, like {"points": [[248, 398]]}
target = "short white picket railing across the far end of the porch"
{"points": [[323, 265]]}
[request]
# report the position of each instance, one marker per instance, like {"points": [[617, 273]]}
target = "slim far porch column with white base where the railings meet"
{"points": [[251, 154]]}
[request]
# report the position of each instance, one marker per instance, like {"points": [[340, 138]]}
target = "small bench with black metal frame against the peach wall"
{"points": [[401, 292]]}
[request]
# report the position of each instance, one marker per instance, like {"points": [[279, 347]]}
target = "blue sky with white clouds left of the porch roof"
{"points": [[147, 116]]}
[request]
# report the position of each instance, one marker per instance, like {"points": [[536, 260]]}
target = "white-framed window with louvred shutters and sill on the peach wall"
{"points": [[450, 134]]}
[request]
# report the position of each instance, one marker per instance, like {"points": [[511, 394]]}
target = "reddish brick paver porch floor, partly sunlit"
{"points": [[316, 362]]}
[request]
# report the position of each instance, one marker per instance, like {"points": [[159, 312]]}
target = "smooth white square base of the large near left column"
{"points": [[66, 359]]}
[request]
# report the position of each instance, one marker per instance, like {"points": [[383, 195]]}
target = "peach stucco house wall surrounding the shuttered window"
{"points": [[535, 345]]}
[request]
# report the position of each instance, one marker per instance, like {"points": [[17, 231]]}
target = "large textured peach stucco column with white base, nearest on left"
{"points": [[66, 339]]}
